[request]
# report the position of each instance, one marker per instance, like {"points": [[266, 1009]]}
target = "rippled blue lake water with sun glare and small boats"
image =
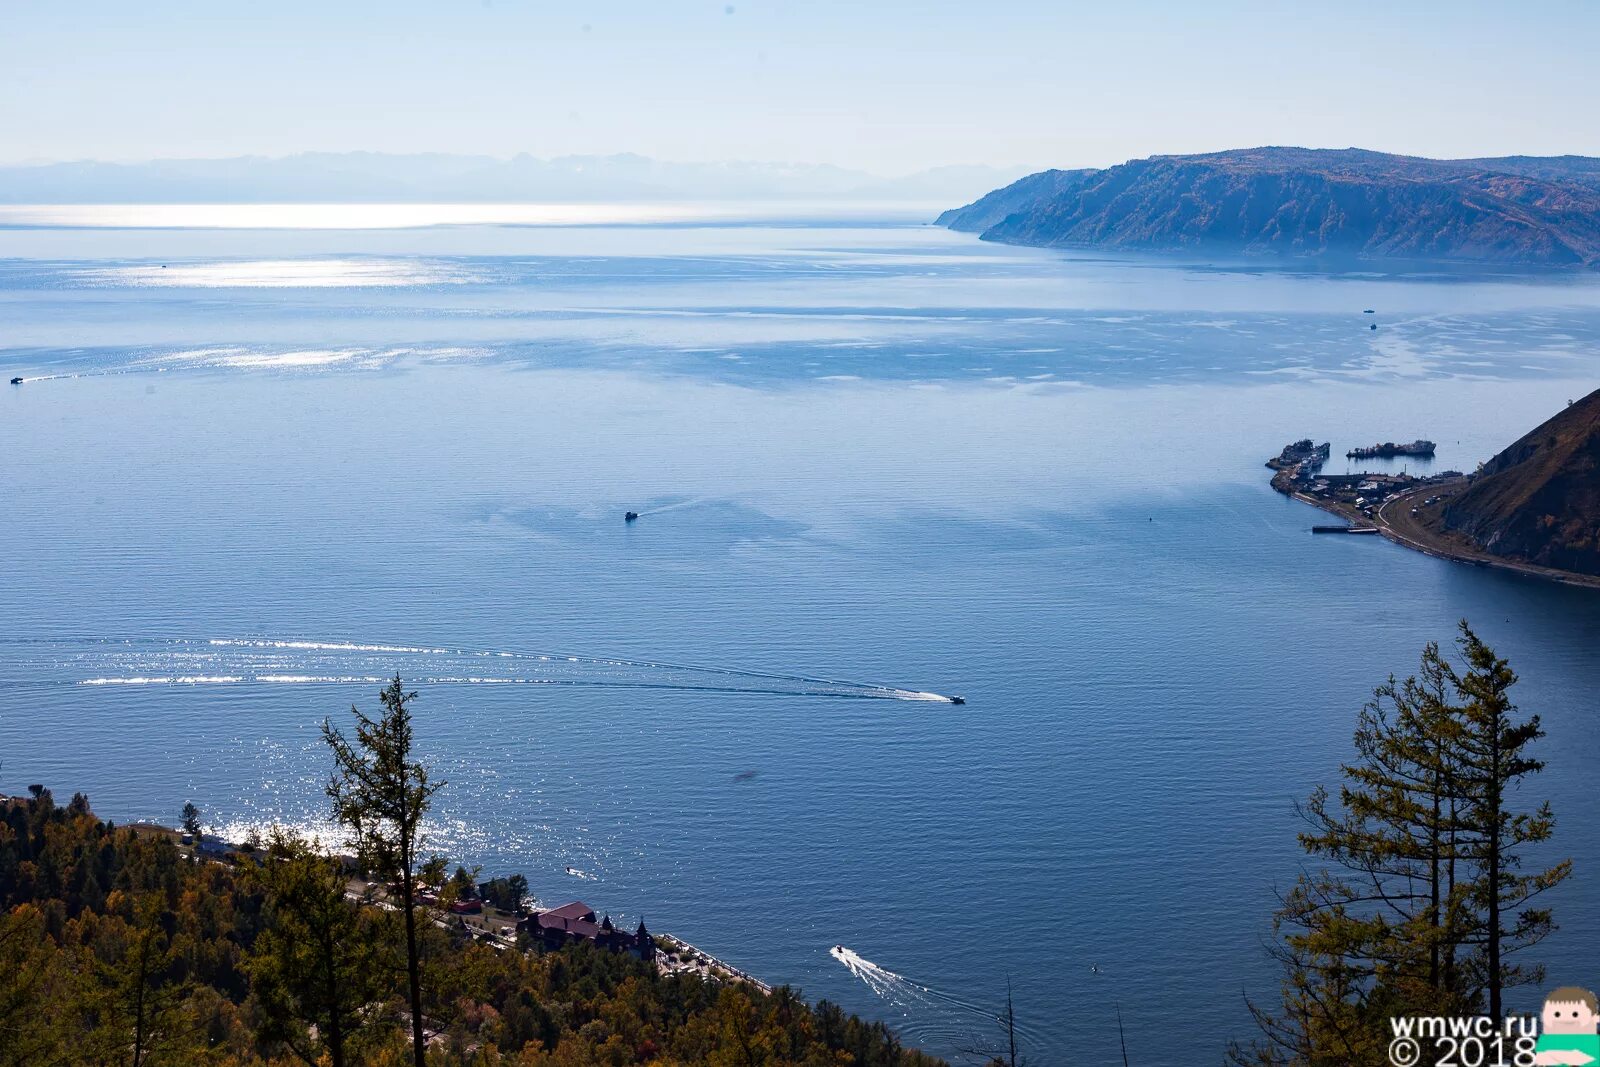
{"points": [[263, 462]]}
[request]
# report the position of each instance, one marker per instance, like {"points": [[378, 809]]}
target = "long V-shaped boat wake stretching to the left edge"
{"points": [[295, 661]]}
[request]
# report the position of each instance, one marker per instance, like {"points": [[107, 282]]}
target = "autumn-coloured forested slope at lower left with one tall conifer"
{"points": [[122, 948]]}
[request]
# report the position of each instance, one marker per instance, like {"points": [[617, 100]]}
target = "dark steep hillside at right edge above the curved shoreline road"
{"points": [[1540, 500]]}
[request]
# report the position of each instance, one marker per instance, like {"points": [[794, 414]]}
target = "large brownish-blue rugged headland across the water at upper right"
{"points": [[1310, 202]]}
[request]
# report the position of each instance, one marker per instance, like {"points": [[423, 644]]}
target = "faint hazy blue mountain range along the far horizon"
{"points": [[385, 178]]}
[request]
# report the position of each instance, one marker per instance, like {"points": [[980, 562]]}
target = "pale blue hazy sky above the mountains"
{"points": [[881, 86]]}
